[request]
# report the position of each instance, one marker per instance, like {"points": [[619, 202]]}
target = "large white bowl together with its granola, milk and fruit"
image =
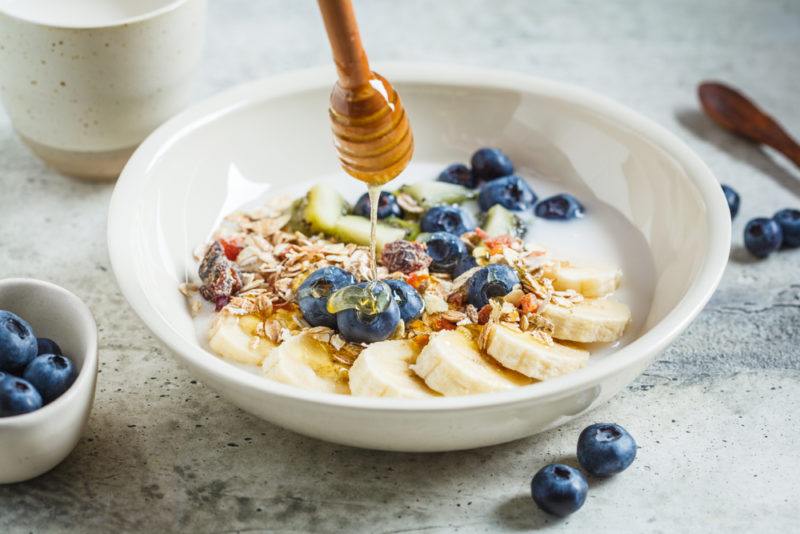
{"points": [[541, 248]]}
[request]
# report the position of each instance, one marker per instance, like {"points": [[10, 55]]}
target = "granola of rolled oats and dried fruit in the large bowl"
{"points": [[255, 264]]}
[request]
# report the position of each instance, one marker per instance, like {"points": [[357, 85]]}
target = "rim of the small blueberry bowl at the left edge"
{"points": [[88, 372]]}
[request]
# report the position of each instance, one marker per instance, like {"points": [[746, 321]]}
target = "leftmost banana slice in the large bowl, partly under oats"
{"points": [[230, 337]]}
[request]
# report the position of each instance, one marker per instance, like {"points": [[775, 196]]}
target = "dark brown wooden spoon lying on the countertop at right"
{"points": [[738, 114]]}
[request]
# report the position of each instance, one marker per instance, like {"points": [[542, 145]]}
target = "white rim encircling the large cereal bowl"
{"points": [[122, 221]]}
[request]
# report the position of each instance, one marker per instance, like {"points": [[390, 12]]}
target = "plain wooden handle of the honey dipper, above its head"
{"points": [[348, 53]]}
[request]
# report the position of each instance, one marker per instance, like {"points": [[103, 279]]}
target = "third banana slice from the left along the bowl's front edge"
{"points": [[383, 370]]}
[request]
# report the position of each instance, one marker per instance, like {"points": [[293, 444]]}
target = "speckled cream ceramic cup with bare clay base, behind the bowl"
{"points": [[85, 81]]}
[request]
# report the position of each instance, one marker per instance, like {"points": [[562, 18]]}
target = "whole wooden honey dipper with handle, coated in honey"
{"points": [[370, 126]]}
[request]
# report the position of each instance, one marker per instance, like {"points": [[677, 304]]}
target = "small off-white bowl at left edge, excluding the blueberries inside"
{"points": [[35, 442]]}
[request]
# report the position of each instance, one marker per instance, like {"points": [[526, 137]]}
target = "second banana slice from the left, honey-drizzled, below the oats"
{"points": [[304, 362]]}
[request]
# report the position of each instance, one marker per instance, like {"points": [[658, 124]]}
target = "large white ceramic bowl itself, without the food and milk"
{"points": [[224, 151]]}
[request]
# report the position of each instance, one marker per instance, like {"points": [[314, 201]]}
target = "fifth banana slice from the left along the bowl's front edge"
{"points": [[527, 355]]}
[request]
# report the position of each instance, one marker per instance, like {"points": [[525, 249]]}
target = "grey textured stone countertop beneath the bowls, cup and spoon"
{"points": [[716, 416]]}
